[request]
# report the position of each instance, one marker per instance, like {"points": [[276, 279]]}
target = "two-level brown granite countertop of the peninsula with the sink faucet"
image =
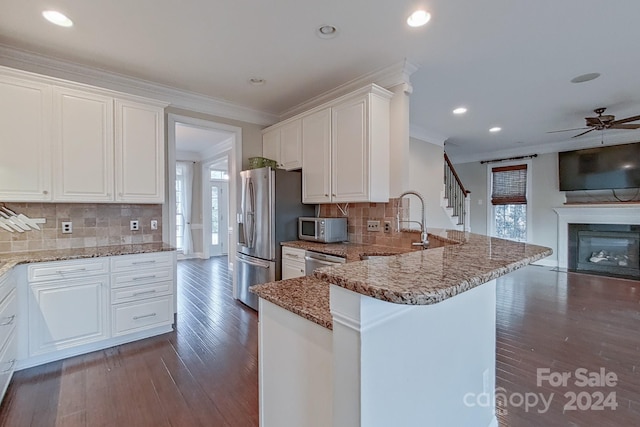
{"points": [[411, 277]]}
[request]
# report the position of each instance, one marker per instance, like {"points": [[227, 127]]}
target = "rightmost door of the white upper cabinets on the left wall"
{"points": [[139, 150]]}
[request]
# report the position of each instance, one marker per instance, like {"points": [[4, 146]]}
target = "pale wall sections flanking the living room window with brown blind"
{"points": [[544, 197]]}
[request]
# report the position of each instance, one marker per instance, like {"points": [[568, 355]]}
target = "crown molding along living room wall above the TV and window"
{"points": [[556, 147]]}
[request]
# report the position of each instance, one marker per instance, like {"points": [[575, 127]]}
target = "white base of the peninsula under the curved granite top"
{"points": [[383, 365]]}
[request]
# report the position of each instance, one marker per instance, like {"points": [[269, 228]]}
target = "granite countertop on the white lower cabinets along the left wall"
{"points": [[10, 259]]}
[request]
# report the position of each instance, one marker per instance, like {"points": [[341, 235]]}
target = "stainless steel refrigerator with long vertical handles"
{"points": [[270, 206]]}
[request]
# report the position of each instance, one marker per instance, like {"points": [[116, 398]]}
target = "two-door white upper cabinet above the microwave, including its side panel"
{"points": [[346, 149]]}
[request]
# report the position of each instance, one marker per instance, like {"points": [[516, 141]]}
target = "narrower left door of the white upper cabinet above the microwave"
{"points": [[316, 157]]}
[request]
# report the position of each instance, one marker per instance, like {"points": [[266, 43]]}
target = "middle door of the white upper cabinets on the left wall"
{"points": [[83, 141]]}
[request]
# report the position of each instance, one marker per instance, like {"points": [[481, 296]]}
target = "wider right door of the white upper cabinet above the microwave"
{"points": [[350, 152]]}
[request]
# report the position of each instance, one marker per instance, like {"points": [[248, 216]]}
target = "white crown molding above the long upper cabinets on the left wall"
{"points": [[53, 67]]}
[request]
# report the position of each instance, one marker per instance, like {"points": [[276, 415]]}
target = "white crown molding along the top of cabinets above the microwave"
{"points": [[387, 77]]}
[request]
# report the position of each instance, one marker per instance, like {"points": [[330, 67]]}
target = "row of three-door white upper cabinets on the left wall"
{"points": [[66, 142]]}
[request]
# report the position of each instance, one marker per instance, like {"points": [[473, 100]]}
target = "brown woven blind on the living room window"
{"points": [[509, 185]]}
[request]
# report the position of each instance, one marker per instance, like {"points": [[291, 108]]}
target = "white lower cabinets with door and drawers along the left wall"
{"points": [[78, 306]]}
